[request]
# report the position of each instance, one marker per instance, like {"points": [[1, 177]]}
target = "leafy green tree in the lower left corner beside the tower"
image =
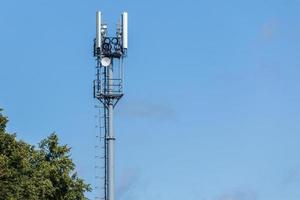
{"points": [[29, 173]]}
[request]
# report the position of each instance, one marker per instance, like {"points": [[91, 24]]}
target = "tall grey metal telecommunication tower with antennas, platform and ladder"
{"points": [[109, 53]]}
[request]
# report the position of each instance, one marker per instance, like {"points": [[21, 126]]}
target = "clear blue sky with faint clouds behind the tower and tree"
{"points": [[211, 110]]}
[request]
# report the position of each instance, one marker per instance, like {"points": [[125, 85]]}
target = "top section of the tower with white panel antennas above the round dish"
{"points": [[107, 46]]}
